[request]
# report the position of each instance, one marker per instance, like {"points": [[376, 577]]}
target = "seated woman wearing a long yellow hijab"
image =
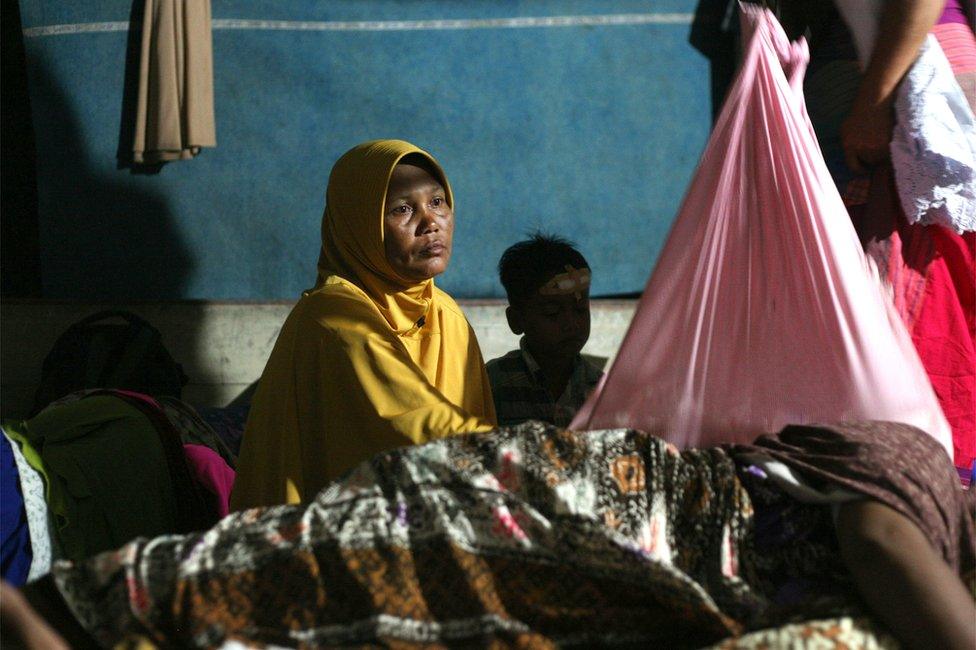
{"points": [[374, 356]]}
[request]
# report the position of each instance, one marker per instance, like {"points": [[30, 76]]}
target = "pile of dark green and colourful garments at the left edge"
{"points": [[99, 468]]}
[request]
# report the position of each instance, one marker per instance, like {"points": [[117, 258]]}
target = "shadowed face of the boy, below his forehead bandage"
{"points": [[555, 326]]}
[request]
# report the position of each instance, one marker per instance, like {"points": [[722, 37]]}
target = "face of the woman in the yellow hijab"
{"points": [[418, 224]]}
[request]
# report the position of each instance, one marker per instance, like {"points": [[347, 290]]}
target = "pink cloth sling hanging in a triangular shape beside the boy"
{"points": [[762, 310]]}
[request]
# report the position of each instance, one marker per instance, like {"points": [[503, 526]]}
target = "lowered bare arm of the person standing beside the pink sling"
{"points": [[866, 133]]}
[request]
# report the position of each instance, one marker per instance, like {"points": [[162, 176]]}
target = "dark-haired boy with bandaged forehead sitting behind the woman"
{"points": [[548, 287]]}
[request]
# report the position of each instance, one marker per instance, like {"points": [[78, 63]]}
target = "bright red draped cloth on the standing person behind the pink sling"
{"points": [[932, 275]]}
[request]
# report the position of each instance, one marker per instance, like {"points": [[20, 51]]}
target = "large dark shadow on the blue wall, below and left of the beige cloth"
{"points": [[103, 238]]}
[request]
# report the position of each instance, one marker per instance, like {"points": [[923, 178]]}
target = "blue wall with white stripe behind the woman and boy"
{"points": [[592, 132]]}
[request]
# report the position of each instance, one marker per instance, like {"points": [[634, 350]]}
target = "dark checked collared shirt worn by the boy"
{"points": [[520, 394]]}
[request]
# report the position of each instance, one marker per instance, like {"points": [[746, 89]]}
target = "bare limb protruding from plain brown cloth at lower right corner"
{"points": [[903, 579]]}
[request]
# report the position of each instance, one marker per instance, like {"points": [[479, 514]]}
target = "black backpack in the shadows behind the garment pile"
{"points": [[101, 352]]}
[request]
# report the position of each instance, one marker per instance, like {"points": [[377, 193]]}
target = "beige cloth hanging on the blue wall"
{"points": [[175, 117]]}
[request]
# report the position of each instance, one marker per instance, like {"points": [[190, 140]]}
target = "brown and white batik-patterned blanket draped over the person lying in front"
{"points": [[530, 535]]}
